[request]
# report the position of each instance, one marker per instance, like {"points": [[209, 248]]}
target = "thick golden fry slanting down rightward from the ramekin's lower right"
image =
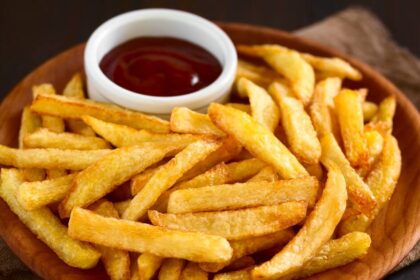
{"points": [[257, 139]]}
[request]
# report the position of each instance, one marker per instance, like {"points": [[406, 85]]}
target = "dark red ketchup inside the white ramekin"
{"points": [[160, 66]]}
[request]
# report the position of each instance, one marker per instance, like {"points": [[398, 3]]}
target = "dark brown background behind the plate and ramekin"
{"points": [[33, 31]]}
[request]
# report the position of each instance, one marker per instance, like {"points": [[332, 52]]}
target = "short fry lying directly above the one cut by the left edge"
{"points": [[43, 138]]}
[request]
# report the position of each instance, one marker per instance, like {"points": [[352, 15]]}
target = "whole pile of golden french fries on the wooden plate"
{"points": [[281, 186]]}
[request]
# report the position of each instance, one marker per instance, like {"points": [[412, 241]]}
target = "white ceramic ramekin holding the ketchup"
{"points": [[159, 23]]}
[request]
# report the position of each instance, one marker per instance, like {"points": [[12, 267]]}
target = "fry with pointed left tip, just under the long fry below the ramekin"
{"points": [[122, 135]]}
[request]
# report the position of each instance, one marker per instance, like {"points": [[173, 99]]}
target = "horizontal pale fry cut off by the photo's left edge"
{"points": [[50, 158]]}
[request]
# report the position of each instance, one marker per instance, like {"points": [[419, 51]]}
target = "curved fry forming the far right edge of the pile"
{"points": [[382, 180]]}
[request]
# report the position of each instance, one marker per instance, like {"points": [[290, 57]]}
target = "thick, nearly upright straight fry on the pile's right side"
{"points": [[348, 107]]}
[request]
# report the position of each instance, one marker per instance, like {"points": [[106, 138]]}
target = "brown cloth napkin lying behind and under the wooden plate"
{"points": [[354, 31]]}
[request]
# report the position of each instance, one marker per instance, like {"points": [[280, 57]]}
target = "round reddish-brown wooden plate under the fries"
{"points": [[394, 232]]}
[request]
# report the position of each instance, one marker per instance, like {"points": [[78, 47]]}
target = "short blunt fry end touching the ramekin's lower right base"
{"points": [[184, 120]]}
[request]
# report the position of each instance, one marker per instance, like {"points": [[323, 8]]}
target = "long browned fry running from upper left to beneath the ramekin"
{"points": [[70, 108]]}
